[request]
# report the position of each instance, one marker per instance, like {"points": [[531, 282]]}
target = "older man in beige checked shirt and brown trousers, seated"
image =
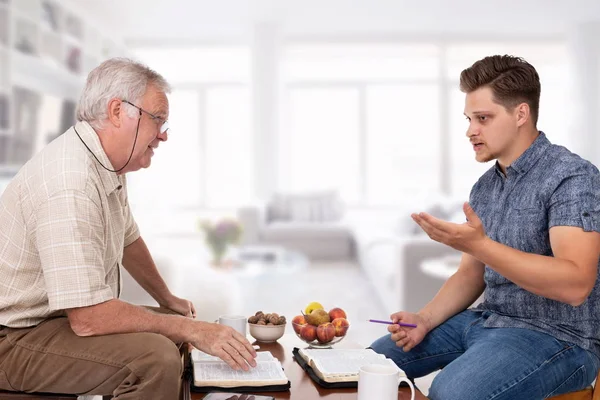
{"points": [[66, 231]]}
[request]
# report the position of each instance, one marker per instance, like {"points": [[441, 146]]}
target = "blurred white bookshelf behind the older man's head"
{"points": [[47, 48]]}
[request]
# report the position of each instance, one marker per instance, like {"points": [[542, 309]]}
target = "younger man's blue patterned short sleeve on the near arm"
{"points": [[576, 202]]}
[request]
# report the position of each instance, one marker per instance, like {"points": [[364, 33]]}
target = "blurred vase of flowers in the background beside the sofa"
{"points": [[219, 236]]}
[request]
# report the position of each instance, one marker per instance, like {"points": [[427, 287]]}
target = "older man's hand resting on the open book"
{"points": [[226, 343]]}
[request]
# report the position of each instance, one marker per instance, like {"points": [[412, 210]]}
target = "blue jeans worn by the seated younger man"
{"points": [[493, 363]]}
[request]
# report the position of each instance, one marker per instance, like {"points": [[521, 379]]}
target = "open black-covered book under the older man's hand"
{"points": [[212, 371]]}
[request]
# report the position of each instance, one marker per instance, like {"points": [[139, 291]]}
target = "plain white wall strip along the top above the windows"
{"points": [[206, 19]]}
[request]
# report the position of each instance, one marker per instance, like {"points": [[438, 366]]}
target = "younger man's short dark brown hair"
{"points": [[512, 80]]}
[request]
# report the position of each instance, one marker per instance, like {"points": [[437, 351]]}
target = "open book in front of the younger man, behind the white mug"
{"points": [[342, 365]]}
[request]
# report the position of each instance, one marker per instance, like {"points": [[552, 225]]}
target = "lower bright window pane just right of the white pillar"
{"points": [[324, 141]]}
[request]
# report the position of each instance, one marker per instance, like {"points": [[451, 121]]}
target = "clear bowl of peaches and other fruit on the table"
{"points": [[320, 328]]}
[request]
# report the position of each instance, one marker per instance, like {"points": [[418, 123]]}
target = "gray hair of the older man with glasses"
{"points": [[119, 78]]}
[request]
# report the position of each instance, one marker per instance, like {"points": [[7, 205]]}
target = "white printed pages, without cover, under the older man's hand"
{"points": [[221, 374]]}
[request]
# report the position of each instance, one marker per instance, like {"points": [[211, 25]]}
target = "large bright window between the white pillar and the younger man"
{"points": [[363, 119]]}
